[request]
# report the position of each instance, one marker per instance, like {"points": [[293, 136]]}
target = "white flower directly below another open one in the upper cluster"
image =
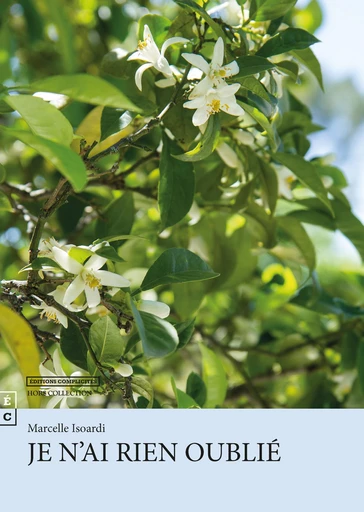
{"points": [[214, 100]]}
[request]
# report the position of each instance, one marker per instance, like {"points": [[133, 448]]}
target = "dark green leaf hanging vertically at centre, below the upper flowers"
{"points": [[176, 186]]}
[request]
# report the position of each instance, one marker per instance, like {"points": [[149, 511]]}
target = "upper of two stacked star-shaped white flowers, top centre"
{"points": [[215, 72]]}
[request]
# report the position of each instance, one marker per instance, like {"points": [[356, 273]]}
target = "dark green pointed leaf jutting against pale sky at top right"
{"points": [[289, 39]]}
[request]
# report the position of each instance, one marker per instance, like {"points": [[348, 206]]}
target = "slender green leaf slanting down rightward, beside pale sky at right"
{"points": [[306, 173]]}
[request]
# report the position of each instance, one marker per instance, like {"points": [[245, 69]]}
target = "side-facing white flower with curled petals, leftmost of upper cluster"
{"points": [[148, 52]]}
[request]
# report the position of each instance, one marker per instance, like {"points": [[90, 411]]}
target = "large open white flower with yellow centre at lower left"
{"points": [[89, 277]]}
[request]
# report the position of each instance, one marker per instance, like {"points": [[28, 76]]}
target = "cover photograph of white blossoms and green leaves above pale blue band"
{"points": [[180, 205]]}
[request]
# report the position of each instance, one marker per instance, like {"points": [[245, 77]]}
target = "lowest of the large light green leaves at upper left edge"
{"points": [[64, 159]]}
